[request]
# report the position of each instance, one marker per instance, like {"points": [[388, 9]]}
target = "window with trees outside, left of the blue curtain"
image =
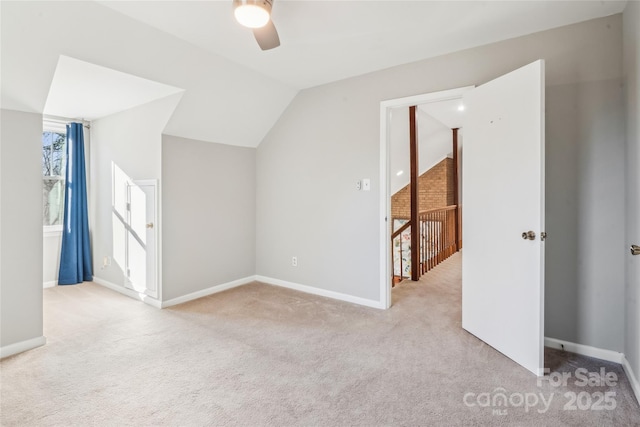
{"points": [[53, 175]]}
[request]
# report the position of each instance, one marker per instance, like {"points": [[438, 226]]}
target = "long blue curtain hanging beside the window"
{"points": [[75, 257]]}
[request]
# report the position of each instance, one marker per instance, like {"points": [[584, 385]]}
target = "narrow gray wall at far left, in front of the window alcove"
{"points": [[21, 225]]}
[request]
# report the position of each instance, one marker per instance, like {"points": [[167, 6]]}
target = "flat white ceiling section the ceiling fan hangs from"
{"points": [[324, 41]]}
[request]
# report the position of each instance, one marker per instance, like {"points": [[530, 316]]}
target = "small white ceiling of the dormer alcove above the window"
{"points": [[77, 85]]}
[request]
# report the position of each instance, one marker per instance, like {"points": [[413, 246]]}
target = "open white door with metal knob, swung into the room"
{"points": [[503, 197]]}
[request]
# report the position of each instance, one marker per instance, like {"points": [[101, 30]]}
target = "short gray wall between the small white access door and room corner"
{"points": [[208, 215]]}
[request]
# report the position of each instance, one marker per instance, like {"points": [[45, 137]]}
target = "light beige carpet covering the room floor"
{"points": [[260, 355]]}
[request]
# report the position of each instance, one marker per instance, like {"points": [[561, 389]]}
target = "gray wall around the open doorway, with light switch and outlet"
{"points": [[329, 137]]}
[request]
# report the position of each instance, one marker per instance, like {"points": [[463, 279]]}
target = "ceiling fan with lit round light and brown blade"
{"points": [[256, 14]]}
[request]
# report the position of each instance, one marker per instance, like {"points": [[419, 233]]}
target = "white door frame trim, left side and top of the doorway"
{"points": [[385, 196]]}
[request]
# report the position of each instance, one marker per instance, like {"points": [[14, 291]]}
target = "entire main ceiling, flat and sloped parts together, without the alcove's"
{"points": [[233, 91]]}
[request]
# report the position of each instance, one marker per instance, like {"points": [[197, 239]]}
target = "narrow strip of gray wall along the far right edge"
{"points": [[631, 23]]}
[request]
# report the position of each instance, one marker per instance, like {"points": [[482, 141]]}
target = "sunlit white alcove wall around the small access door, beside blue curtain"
{"points": [[124, 146]]}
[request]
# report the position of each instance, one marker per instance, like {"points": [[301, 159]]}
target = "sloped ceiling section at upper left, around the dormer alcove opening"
{"points": [[223, 101]]}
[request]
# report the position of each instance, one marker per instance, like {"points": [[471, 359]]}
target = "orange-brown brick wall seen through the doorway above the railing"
{"points": [[435, 188]]}
